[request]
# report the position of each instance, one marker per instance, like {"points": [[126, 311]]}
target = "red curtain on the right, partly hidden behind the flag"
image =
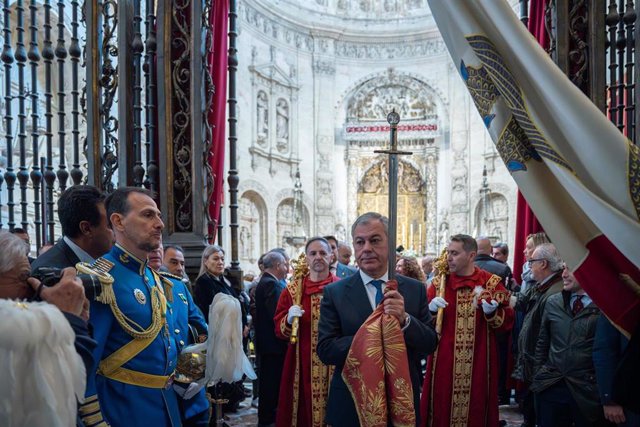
{"points": [[526, 221]]}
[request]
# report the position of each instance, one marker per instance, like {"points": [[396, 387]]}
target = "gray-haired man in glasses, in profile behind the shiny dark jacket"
{"points": [[546, 269]]}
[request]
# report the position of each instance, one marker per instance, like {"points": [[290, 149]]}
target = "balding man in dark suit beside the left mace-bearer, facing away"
{"points": [[269, 349]]}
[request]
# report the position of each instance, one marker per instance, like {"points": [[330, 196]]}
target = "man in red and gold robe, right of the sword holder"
{"points": [[461, 384]]}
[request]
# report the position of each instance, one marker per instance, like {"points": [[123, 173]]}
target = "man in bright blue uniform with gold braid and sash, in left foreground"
{"points": [[133, 324]]}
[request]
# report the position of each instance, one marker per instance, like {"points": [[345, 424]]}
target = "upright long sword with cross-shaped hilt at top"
{"points": [[393, 119]]}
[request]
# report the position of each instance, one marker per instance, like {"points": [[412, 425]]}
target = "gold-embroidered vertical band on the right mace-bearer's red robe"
{"points": [[463, 349]]}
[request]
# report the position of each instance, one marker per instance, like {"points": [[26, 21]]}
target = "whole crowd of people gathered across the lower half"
{"points": [[471, 336]]}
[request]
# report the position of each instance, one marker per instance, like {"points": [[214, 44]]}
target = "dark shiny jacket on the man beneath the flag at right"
{"points": [[564, 352]]}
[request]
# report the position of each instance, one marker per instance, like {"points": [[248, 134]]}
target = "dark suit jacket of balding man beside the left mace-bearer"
{"points": [[267, 294]]}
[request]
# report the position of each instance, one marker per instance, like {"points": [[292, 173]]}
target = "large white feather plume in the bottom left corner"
{"points": [[44, 374]]}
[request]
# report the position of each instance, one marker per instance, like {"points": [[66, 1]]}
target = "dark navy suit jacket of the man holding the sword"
{"points": [[345, 307]]}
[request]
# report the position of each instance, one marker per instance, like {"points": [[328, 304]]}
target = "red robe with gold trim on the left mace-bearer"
{"points": [[305, 379]]}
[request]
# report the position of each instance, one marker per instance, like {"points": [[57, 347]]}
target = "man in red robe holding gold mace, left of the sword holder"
{"points": [[305, 379]]}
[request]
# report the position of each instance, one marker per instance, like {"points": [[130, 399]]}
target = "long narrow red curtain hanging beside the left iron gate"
{"points": [[218, 60]]}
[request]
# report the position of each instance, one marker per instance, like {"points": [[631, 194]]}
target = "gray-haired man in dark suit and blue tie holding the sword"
{"points": [[348, 303]]}
